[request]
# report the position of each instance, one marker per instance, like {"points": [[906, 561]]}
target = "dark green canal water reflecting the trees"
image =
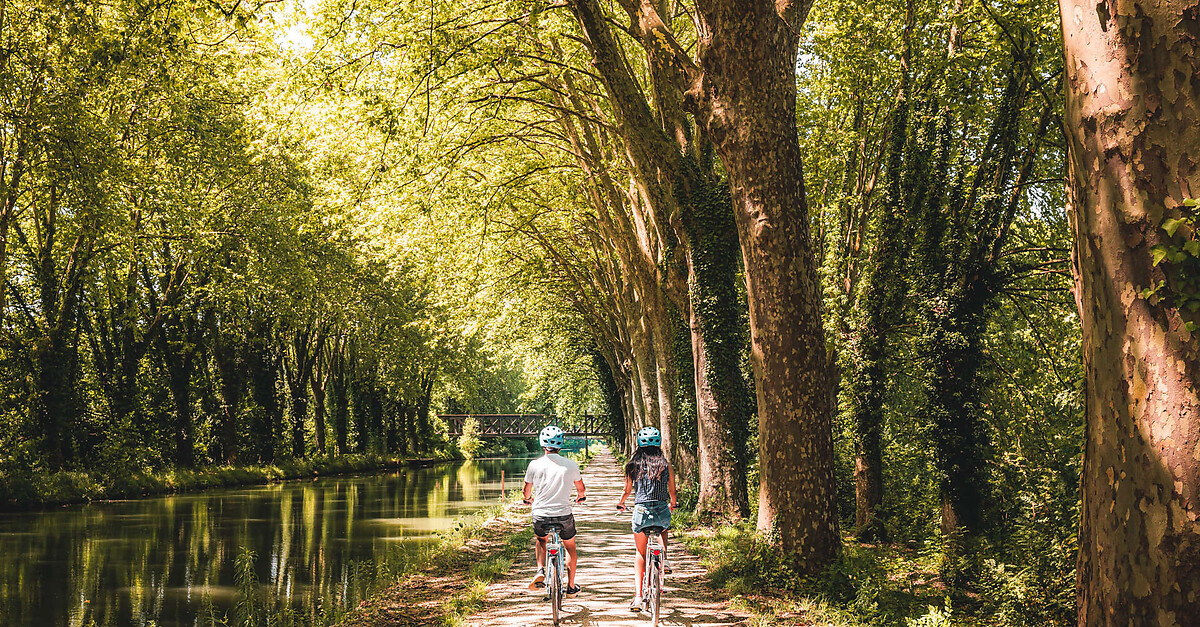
{"points": [[317, 547]]}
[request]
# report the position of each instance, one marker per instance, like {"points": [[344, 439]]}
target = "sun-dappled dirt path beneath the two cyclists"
{"points": [[605, 572]]}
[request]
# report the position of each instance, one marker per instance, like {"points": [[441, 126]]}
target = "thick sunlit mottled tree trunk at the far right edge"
{"points": [[1133, 154]]}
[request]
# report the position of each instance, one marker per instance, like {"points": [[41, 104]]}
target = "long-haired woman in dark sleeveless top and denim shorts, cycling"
{"points": [[649, 476]]}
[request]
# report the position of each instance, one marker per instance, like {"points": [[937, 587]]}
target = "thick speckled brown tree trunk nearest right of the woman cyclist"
{"points": [[749, 110]]}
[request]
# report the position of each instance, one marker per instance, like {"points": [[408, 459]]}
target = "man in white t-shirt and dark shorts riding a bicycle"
{"points": [[548, 488]]}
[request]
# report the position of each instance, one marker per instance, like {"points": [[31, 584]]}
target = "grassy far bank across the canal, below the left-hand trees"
{"points": [[38, 491]]}
